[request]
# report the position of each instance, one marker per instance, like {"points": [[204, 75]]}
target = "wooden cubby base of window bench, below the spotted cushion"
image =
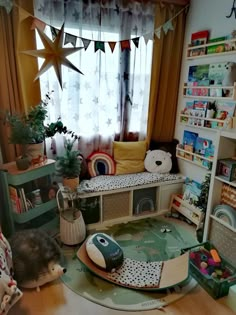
{"points": [[104, 208]]}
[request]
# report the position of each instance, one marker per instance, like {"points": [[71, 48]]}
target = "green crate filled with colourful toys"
{"points": [[216, 278]]}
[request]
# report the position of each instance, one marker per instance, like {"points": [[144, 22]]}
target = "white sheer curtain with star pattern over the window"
{"points": [[111, 98]]}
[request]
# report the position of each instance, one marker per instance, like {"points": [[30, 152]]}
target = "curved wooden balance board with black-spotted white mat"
{"points": [[139, 274]]}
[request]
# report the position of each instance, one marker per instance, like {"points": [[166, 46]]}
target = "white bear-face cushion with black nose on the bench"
{"points": [[158, 161]]}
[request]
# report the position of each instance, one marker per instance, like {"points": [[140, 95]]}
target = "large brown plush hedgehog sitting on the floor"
{"points": [[36, 258]]}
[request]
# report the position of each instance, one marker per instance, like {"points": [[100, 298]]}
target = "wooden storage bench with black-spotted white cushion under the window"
{"points": [[130, 197]]}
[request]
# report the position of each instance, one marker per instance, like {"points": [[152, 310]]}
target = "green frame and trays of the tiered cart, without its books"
{"points": [[12, 221]]}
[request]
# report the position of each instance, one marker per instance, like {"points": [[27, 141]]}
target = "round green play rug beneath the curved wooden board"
{"points": [[147, 239]]}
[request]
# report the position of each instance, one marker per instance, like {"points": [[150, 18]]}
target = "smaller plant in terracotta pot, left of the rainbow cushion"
{"points": [[68, 166]]}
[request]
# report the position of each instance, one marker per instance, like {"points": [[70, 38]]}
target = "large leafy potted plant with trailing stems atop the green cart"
{"points": [[30, 131]]}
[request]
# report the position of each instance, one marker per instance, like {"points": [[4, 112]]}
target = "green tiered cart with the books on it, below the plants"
{"points": [[28, 197]]}
